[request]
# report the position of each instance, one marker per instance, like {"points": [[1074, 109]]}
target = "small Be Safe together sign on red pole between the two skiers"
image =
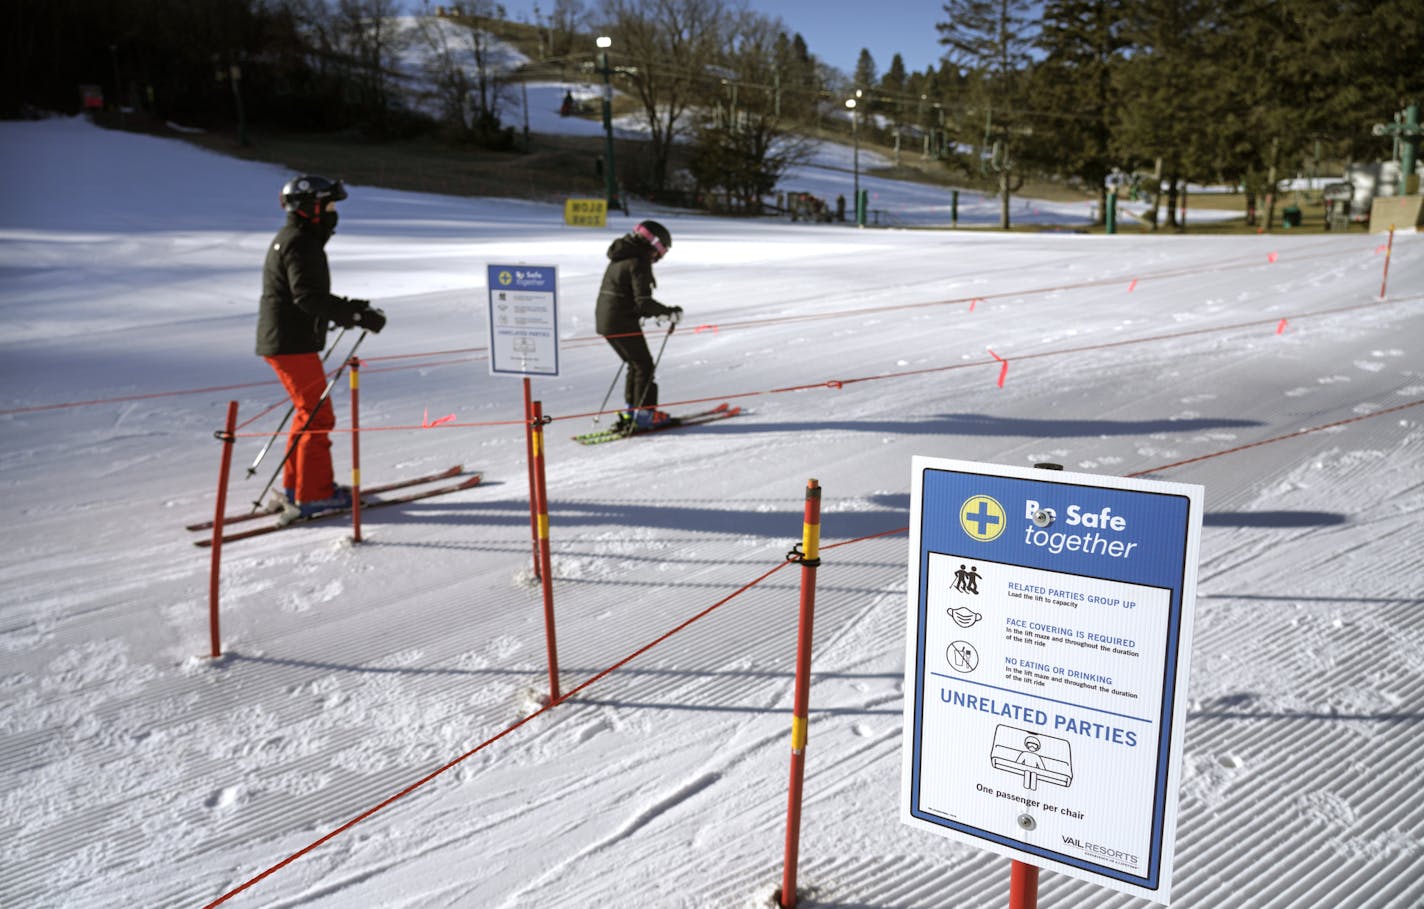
{"points": [[523, 320]]}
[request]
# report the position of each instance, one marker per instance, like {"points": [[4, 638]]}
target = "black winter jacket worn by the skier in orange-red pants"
{"points": [[297, 293]]}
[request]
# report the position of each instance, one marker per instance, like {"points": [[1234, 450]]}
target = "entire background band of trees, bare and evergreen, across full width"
{"points": [[1238, 92]]}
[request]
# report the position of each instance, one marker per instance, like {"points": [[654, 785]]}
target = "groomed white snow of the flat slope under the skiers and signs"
{"points": [[137, 772]]}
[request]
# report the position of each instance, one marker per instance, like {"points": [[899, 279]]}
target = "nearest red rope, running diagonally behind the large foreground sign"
{"points": [[708, 612]]}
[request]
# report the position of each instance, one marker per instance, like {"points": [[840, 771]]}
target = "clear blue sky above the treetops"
{"points": [[837, 31]]}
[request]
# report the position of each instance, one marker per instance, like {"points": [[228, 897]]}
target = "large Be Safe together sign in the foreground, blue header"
{"points": [[1050, 632]]}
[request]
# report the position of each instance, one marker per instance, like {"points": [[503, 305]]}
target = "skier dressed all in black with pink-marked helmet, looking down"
{"points": [[624, 300]]}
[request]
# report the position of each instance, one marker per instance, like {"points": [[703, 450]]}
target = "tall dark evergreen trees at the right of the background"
{"points": [[1237, 92]]}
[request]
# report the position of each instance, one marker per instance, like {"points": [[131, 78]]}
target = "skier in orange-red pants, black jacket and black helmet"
{"points": [[293, 321]]}
